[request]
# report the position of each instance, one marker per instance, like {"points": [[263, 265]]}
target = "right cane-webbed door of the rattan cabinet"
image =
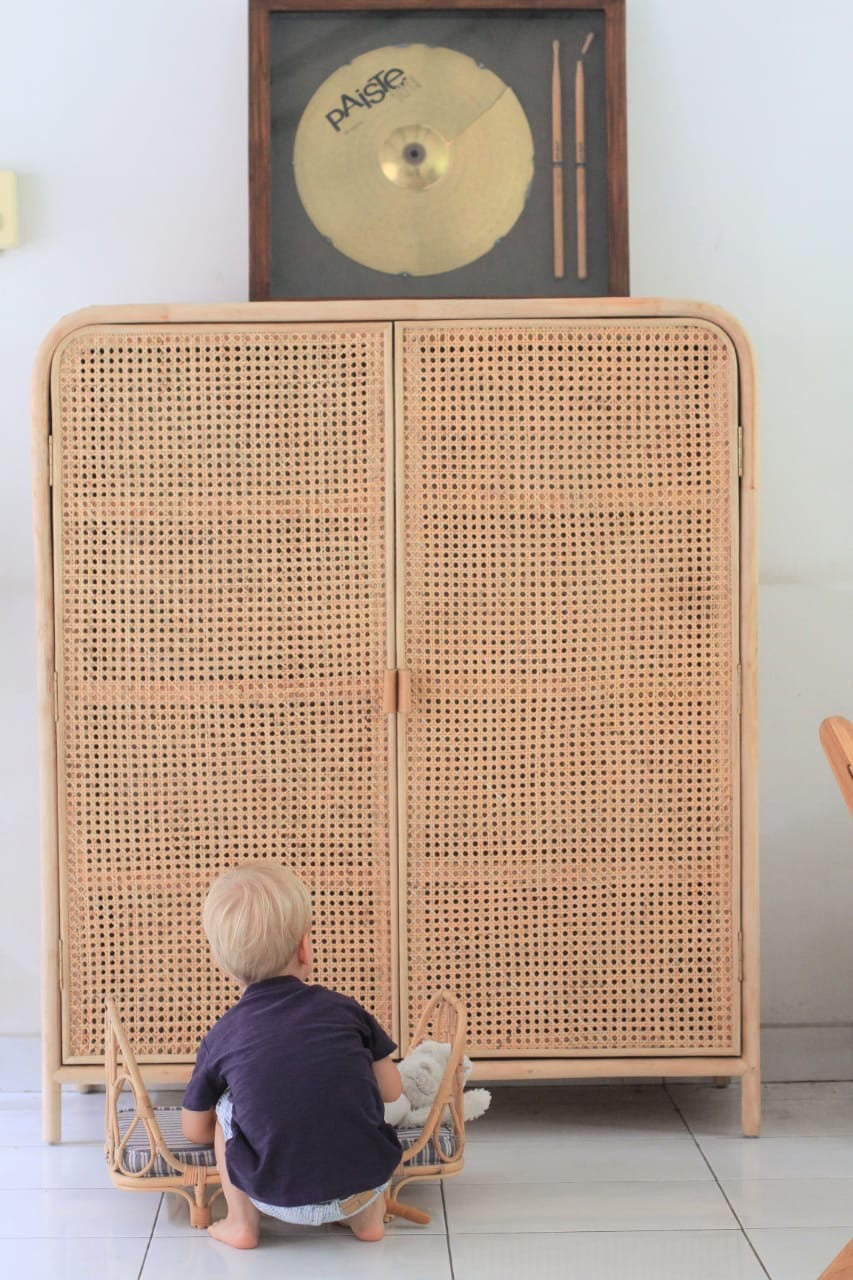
{"points": [[571, 628]]}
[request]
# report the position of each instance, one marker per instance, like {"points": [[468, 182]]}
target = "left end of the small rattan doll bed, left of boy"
{"points": [[145, 1148]]}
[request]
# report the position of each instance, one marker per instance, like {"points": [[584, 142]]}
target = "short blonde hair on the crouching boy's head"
{"points": [[256, 917]]}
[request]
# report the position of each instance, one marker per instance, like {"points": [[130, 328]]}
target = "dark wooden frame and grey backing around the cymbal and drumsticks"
{"points": [[290, 259]]}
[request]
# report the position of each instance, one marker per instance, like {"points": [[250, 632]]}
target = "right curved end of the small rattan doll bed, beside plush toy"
{"points": [[437, 1150]]}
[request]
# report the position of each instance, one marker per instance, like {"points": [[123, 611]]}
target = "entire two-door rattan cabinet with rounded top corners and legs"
{"points": [[451, 606]]}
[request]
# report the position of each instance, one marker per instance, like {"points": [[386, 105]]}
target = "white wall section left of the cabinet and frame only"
{"points": [[127, 126]]}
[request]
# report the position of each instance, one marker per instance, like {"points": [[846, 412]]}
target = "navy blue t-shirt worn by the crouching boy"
{"points": [[308, 1117]]}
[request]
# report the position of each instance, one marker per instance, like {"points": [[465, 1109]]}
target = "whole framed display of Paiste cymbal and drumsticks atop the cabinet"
{"points": [[453, 149]]}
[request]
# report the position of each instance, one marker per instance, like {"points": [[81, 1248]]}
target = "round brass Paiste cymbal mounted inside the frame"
{"points": [[414, 159]]}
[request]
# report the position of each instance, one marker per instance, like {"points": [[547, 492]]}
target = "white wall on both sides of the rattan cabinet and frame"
{"points": [[127, 126]]}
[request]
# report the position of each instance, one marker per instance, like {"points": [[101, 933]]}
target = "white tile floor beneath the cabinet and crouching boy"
{"points": [[592, 1183]]}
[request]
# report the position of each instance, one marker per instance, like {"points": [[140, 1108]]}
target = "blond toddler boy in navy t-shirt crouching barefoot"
{"points": [[290, 1084]]}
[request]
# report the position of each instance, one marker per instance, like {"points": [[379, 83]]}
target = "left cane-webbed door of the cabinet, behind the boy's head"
{"points": [[220, 514]]}
